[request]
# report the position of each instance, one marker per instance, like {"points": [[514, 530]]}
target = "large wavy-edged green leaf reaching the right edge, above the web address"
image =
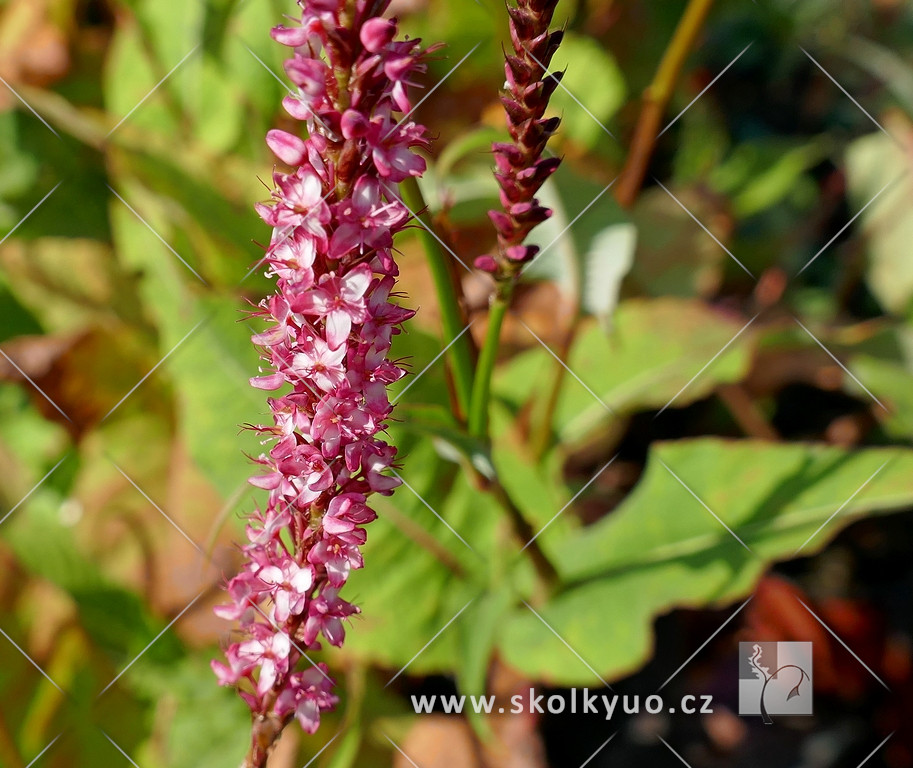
{"points": [[661, 549]]}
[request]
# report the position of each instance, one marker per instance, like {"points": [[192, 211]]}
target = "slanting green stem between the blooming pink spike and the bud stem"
{"points": [[460, 354]]}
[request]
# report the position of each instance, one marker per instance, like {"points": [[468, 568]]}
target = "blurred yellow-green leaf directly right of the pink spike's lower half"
{"points": [[407, 594]]}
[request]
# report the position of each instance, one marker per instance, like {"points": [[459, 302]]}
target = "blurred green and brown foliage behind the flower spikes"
{"points": [[738, 340]]}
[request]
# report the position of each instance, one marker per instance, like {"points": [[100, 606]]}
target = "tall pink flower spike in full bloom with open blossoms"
{"points": [[329, 329]]}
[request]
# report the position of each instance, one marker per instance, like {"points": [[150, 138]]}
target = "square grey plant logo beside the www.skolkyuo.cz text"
{"points": [[775, 679]]}
